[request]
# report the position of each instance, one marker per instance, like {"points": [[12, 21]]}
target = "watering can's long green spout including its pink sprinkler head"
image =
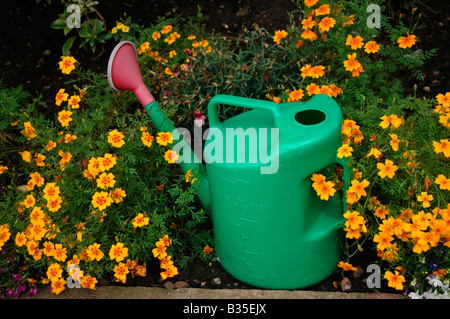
{"points": [[124, 74]]}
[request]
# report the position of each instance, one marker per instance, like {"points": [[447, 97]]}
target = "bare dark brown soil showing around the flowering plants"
{"points": [[30, 51]]}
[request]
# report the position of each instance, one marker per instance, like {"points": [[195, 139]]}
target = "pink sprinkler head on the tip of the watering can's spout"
{"points": [[124, 73]]}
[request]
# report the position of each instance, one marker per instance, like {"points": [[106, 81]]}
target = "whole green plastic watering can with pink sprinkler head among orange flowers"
{"points": [[271, 230]]}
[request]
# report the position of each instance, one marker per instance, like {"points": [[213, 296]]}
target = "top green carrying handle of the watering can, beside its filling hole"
{"points": [[213, 113]]}
